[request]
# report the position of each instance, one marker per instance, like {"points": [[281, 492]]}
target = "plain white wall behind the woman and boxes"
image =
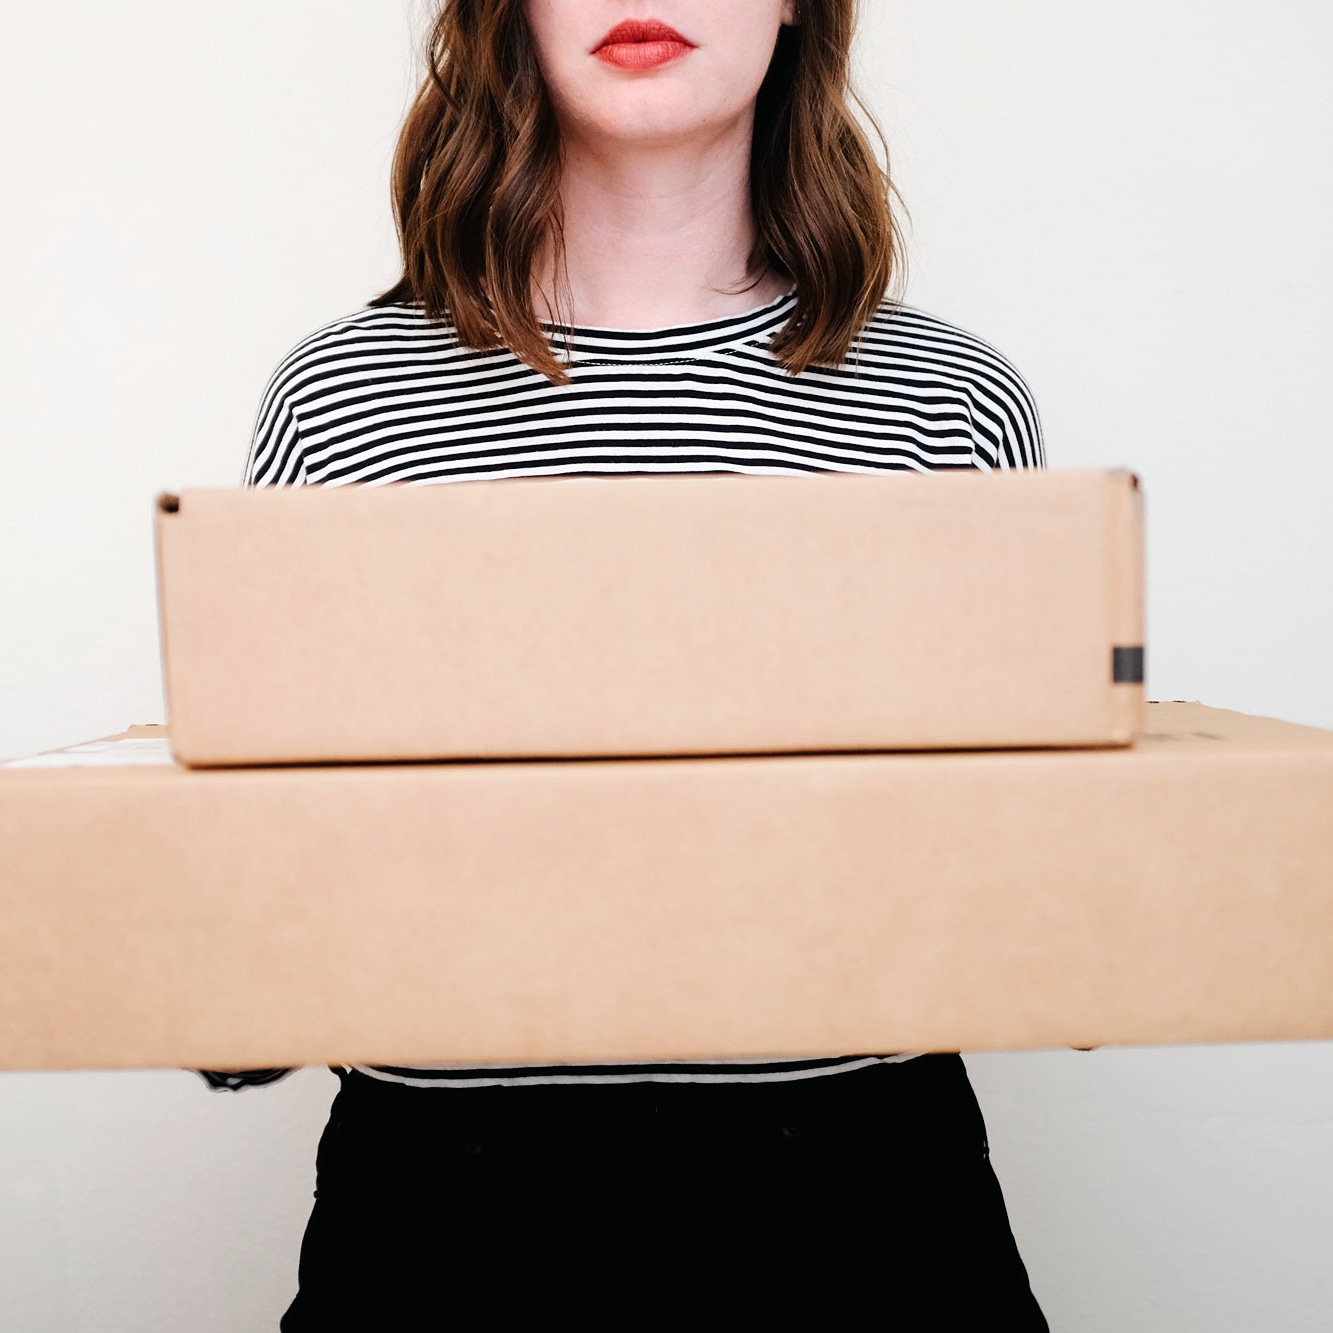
{"points": [[1132, 201]]}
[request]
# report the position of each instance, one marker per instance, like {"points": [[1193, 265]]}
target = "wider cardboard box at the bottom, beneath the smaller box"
{"points": [[1176, 892]]}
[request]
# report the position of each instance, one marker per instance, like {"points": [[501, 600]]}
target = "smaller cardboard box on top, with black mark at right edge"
{"points": [[654, 617]]}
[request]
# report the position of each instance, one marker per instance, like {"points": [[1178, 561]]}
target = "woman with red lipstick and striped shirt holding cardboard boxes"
{"points": [[649, 237]]}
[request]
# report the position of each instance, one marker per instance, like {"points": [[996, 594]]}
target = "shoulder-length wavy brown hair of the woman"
{"points": [[477, 186]]}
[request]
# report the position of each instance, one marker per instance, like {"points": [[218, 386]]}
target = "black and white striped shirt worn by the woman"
{"points": [[387, 397]]}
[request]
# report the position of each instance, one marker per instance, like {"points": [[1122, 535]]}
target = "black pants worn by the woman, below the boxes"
{"points": [[862, 1196]]}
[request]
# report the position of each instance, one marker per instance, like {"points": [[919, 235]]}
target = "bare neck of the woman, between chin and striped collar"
{"points": [[658, 237]]}
